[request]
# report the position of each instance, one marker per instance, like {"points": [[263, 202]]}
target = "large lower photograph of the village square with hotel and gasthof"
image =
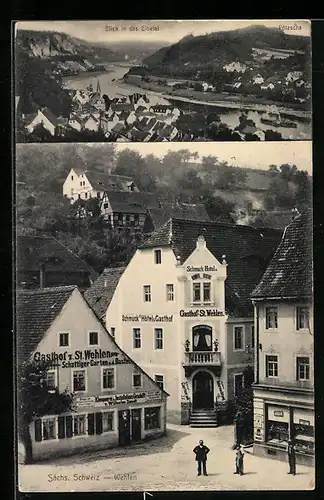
{"points": [[164, 317]]}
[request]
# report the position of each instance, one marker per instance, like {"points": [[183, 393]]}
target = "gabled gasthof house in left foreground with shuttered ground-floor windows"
{"points": [[115, 403]]}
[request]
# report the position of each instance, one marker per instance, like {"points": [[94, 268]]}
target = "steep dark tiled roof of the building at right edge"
{"points": [[289, 274]]}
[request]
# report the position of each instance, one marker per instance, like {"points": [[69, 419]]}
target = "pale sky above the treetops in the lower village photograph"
{"points": [[257, 155]]}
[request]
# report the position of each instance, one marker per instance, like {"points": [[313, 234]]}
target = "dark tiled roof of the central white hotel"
{"points": [[248, 251]]}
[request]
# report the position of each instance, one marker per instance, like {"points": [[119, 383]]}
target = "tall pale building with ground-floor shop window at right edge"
{"points": [[284, 388]]}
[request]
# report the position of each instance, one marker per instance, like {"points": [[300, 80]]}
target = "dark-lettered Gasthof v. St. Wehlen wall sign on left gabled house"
{"points": [[82, 359]]}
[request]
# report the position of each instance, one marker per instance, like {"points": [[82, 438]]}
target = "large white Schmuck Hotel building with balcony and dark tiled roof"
{"points": [[182, 309]]}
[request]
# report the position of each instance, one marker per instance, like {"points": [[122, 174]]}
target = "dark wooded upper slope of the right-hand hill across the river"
{"points": [[225, 46]]}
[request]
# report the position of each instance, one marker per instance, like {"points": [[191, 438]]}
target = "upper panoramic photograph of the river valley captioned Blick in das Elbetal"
{"points": [[162, 81]]}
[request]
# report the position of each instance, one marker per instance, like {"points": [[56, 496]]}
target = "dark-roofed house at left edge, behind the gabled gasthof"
{"points": [[44, 261]]}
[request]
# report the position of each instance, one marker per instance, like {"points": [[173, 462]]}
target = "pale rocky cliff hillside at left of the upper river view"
{"points": [[60, 46]]}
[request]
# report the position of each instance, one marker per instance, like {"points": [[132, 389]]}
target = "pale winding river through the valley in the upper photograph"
{"points": [[111, 83]]}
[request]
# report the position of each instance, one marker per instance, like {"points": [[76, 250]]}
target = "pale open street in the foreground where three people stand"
{"points": [[166, 464]]}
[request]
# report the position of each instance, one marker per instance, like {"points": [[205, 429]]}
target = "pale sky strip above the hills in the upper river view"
{"points": [[154, 31]]}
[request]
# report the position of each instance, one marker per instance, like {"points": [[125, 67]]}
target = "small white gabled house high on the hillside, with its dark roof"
{"points": [[83, 184]]}
